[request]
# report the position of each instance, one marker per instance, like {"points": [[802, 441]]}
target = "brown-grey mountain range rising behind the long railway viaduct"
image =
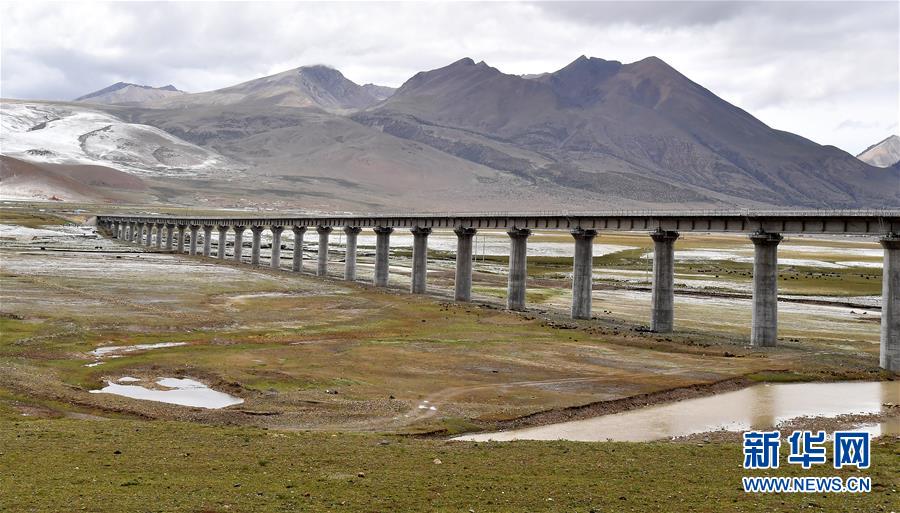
{"points": [[595, 134]]}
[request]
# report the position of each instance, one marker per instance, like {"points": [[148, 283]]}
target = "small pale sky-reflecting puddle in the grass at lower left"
{"points": [[185, 392]]}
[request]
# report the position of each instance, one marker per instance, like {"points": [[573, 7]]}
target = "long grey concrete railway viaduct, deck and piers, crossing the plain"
{"points": [[764, 228]]}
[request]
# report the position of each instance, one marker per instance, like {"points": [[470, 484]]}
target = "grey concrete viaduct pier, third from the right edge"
{"points": [[662, 317]]}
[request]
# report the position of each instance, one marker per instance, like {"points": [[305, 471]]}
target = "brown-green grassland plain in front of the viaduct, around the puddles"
{"points": [[333, 374]]}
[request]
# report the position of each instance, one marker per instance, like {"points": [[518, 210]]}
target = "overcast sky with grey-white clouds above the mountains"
{"points": [[825, 70]]}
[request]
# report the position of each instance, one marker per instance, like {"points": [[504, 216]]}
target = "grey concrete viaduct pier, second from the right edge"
{"points": [[764, 331]]}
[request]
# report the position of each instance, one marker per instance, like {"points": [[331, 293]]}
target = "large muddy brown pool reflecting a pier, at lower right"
{"points": [[760, 406]]}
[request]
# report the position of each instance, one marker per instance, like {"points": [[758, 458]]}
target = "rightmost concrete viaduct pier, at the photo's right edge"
{"points": [[890, 305]]}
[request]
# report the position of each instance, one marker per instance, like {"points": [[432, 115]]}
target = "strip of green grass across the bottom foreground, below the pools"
{"points": [[68, 465]]}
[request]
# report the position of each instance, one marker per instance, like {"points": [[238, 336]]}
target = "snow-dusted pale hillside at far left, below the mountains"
{"points": [[71, 134]]}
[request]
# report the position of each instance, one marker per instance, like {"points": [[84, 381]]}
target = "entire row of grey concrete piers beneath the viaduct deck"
{"points": [[764, 327]]}
